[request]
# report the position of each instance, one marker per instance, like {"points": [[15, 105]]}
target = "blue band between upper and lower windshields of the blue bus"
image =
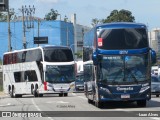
{"points": [[120, 52]]}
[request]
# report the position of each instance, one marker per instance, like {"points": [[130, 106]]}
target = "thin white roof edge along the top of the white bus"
{"points": [[40, 47]]}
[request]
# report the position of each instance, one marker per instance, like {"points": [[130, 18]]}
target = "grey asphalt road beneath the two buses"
{"points": [[53, 107]]}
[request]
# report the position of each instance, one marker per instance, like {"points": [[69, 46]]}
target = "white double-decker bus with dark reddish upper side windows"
{"points": [[38, 71]]}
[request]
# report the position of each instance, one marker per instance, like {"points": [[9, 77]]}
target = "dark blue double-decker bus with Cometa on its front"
{"points": [[117, 63]]}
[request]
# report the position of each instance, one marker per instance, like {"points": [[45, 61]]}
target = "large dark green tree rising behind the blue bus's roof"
{"points": [[119, 16]]}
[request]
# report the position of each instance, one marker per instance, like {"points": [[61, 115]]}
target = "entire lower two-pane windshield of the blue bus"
{"points": [[124, 69]]}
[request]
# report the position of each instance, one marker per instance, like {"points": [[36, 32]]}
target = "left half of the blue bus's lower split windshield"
{"points": [[111, 69]]}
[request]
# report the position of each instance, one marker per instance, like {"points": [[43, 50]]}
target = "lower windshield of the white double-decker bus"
{"points": [[60, 74]]}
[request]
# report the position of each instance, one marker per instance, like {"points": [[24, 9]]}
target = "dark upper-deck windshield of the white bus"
{"points": [[58, 55]]}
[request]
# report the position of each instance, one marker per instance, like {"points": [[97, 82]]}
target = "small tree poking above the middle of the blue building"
{"points": [[52, 15]]}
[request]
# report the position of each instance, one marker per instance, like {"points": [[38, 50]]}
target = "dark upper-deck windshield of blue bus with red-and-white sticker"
{"points": [[118, 39]]}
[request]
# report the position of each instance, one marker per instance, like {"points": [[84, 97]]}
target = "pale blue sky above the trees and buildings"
{"points": [[144, 11]]}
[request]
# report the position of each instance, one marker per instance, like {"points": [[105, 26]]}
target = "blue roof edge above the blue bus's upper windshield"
{"points": [[115, 25]]}
